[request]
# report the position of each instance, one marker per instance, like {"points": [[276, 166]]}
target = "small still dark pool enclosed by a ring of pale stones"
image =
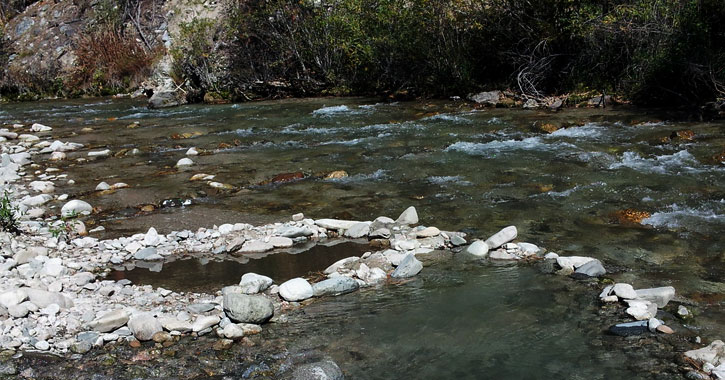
{"points": [[204, 275]]}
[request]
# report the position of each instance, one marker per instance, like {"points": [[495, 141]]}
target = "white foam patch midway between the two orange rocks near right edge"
{"points": [[668, 163]]}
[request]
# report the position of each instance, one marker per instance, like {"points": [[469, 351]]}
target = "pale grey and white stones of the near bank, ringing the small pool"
{"points": [[54, 296]]}
